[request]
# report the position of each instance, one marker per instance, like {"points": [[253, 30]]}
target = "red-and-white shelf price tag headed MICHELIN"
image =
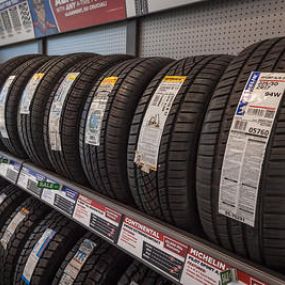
{"points": [[201, 268]]}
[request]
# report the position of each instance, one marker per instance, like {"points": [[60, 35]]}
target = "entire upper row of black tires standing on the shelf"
{"points": [[152, 132]]}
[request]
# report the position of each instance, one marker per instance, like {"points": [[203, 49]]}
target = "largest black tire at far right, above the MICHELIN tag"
{"points": [[265, 241]]}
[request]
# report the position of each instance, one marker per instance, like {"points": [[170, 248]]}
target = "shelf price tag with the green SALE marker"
{"points": [[62, 198]]}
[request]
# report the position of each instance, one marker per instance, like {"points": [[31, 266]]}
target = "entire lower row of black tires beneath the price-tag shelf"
{"points": [[40, 246]]}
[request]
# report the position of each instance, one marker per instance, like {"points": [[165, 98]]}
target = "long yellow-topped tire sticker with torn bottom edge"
{"points": [[154, 120]]}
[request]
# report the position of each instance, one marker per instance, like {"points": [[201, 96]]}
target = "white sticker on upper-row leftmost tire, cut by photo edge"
{"points": [[3, 98]]}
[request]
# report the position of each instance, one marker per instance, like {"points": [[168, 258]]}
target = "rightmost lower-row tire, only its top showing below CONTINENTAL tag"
{"points": [[141, 275]]}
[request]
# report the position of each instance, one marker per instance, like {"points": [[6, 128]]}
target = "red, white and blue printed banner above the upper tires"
{"points": [[28, 19]]}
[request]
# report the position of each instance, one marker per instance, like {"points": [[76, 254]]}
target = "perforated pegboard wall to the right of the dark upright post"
{"points": [[221, 26]]}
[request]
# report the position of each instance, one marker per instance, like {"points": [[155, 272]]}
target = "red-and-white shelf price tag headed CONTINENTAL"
{"points": [[156, 248]]}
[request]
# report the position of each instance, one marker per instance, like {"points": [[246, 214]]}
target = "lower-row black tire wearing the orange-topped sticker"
{"points": [[9, 256]]}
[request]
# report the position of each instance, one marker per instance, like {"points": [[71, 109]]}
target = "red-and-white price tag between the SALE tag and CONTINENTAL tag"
{"points": [[98, 217]]}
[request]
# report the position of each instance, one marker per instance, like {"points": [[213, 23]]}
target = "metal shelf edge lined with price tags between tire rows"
{"points": [[175, 254]]}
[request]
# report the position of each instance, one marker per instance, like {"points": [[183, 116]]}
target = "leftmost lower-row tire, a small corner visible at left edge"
{"points": [[14, 197]]}
